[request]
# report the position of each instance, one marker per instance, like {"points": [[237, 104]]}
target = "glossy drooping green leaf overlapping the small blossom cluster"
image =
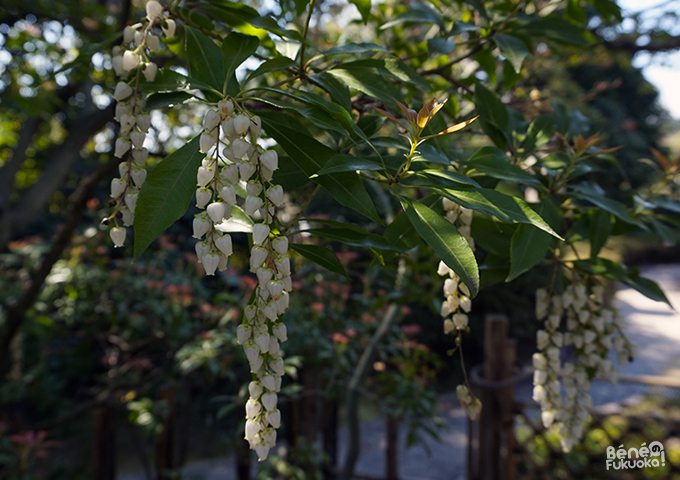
{"points": [[445, 240]]}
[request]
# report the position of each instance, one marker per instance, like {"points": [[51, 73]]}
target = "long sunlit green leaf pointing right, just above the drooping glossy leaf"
{"points": [[504, 207]]}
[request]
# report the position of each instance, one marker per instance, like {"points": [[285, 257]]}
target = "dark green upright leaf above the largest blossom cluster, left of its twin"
{"points": [[205, 59]]}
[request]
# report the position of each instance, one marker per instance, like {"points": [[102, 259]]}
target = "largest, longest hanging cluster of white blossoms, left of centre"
{"points": [[234, 161]]}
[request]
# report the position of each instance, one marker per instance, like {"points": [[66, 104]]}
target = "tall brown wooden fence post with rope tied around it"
{"points": [[495, 342]]}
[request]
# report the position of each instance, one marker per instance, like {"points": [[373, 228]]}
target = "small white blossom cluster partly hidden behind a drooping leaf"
{"points": [[457, 295]]}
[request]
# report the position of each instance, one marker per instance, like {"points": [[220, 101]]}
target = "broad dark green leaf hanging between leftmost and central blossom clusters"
{"points": [[166, 194]]}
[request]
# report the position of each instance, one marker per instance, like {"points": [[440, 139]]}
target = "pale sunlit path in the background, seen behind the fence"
{"points": [[652, 326]]}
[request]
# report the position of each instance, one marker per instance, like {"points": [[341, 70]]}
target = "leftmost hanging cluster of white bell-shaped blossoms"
{"points": [[132, 56]]}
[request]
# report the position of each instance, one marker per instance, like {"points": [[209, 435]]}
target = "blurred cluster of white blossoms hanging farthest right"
{"points": [[592, 330]]}
